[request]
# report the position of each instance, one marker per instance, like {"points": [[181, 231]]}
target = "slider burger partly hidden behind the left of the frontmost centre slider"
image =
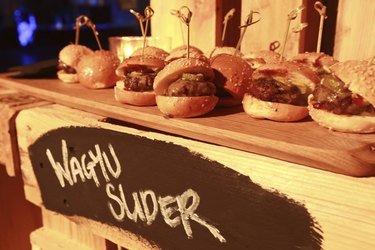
{"points": [[137, 75]]}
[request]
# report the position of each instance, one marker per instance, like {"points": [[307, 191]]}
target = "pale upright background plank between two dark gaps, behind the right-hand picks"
{"points": [[272, 26]]}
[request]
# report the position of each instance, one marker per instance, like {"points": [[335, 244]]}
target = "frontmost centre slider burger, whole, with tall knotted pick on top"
{"points": [[184, 88]]}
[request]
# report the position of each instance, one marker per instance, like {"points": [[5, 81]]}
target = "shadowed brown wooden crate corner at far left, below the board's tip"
{"points": [[11, 102]]}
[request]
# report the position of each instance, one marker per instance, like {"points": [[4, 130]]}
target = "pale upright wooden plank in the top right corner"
{"points": [[355, 33]]}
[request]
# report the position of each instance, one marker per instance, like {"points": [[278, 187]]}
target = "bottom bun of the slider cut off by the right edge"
{"points": [[343, 123]]}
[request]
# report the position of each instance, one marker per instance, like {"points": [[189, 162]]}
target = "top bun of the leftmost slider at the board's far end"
{"points": [[72, 53]]}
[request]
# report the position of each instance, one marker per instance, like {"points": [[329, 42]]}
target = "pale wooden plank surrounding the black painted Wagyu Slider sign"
{"points": [[343, 206]]}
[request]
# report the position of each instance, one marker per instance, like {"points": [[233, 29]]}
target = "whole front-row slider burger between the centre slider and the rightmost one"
{"points": [[279, 92]]}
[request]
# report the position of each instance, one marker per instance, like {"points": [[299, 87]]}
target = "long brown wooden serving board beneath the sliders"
{"points": [[302, 142]]}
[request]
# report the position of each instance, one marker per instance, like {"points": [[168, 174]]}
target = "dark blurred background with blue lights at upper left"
{"points": [[55, 26]]}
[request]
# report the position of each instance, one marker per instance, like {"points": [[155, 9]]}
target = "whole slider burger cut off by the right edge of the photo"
{"points": [[345, 100]]}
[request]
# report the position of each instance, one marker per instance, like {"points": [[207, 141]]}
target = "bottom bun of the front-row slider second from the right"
{"points": [[272, 110]]}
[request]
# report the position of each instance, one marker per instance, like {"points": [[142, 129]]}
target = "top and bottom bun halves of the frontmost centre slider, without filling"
{"points": [[179, 106]]}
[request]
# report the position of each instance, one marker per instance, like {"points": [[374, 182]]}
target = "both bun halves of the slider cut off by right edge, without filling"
{"points": [[358, 77]]}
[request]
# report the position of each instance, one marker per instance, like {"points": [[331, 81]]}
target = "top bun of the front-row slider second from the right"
{"points": [[296, 73]]}
